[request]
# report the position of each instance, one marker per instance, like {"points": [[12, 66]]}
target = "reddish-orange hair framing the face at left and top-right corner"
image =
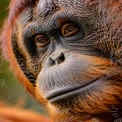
{"points": [[112, 7]]}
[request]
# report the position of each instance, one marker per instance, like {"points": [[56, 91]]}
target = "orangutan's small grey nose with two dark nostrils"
{"points": [[56, 58]]}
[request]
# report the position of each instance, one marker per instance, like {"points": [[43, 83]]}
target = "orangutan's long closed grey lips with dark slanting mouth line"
{"points": [[67, 92]]}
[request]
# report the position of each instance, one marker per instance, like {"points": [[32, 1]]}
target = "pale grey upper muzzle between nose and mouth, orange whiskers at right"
{"points": [[76, 70]]}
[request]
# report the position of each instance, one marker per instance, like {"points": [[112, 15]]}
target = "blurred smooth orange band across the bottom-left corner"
{"points": [[12, 114]]}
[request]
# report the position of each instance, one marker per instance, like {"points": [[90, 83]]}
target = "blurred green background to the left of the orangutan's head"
{"points": [[11, 91]]}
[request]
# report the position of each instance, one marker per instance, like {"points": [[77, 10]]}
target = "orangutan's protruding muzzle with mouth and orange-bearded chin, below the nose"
{"points": [[66, 89]]}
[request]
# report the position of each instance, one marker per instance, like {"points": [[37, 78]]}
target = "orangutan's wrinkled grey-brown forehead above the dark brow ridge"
{"points": [[52, 13]]}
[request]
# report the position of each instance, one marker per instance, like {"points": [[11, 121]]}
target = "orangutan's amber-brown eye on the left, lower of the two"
{"points": [[41, 40]]}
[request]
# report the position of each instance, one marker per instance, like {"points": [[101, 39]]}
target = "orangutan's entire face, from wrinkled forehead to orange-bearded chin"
{"points": [[71, 52]]}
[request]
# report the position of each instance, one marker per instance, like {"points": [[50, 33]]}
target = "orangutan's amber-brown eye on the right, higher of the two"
{"points": [[69, 29]]}
